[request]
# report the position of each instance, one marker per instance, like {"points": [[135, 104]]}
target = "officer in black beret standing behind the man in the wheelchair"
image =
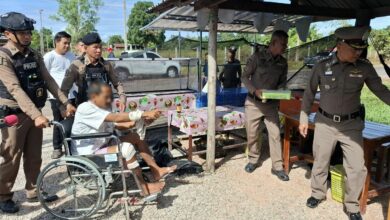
{"points": [[91, 67]]}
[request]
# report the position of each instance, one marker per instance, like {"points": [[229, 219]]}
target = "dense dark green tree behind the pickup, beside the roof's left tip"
{"points": [[139, 18]]}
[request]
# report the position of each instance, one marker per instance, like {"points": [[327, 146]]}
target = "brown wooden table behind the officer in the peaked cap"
{"points": [[374, 136]]}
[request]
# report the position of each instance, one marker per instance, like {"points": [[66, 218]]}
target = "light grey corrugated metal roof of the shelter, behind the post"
{"points": [[184, 19]]}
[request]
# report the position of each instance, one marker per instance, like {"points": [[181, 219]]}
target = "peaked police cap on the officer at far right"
{"points": [[356, 37]]}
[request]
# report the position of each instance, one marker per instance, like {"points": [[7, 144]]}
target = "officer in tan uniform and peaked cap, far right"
{"points": [[340, 117]]}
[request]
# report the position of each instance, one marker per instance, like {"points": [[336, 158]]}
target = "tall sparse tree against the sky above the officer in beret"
{"points": [[80, 15]]}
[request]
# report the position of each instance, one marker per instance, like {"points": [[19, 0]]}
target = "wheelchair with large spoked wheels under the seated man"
{"points": [[83, 184]]}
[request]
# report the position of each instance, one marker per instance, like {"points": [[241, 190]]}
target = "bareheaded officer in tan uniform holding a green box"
{"points": [[265, 69]]}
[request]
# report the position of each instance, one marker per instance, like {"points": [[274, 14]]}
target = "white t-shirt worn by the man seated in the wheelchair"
{"points": [[89, 119]]}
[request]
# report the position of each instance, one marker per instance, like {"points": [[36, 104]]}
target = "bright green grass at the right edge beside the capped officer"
{"points": [[376, 110]]}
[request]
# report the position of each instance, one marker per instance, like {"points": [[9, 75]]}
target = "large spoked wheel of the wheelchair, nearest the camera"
{"points": [[76, 181]]}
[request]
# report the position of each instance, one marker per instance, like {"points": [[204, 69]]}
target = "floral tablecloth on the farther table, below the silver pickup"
{"points": [[161, 102]]}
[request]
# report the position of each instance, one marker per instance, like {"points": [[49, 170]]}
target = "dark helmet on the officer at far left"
{"points": [[15, 21]]}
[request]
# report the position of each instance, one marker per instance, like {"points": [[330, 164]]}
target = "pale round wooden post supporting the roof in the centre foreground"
{"points": [[211, 95]]}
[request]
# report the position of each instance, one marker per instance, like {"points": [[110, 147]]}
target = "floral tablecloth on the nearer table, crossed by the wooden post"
{"points": [[194, 121]]}
